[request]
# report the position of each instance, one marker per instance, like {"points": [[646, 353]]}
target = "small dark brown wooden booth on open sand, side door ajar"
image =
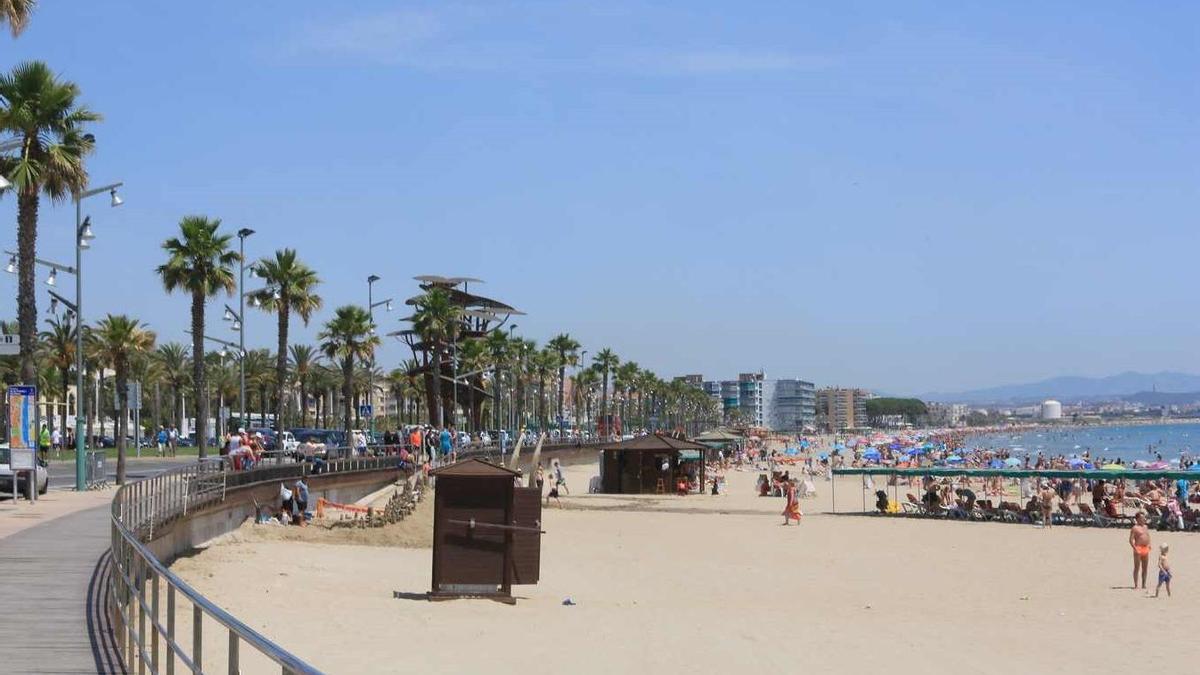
{"points": [[487, 533]]}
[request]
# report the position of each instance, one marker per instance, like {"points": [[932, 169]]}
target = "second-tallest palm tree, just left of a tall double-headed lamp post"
{"points": [[200, 262]]}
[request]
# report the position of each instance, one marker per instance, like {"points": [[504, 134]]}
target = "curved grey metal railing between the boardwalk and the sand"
{"points": [[145, 635]]}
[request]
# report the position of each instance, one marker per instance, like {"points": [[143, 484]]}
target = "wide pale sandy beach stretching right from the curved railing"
{"points": [[716, 584]]}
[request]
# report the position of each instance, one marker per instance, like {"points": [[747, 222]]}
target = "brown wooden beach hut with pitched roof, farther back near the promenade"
{"points": [[649, 464]]}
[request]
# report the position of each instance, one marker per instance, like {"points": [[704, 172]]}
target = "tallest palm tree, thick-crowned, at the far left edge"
{"points": [[40, 110]]}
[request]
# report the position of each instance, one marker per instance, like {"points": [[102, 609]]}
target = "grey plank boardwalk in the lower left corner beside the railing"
{"points": [[53, 578]]}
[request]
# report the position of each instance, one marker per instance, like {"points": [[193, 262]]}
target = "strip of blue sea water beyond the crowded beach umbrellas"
{"points": [[1133, 443]]}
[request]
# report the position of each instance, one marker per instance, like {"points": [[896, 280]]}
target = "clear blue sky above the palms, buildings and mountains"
{"points": [[934, 196]]}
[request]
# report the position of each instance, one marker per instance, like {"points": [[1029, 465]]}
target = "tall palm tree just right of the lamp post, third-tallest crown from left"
{"points": [[292, 288]]}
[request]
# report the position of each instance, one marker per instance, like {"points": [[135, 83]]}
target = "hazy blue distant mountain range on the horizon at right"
{"points": [[1071, 390]]}
